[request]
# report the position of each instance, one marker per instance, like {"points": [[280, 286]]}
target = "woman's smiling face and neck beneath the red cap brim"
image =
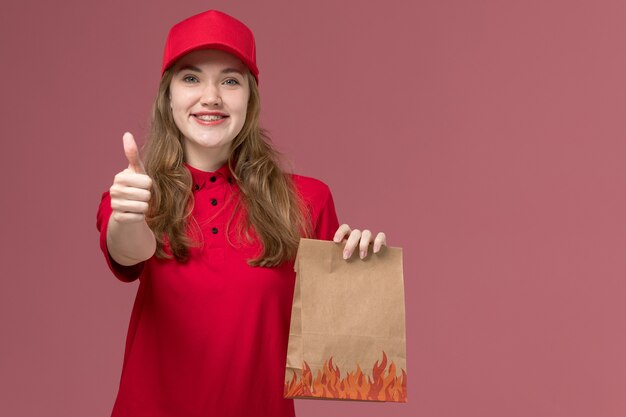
{"points": [[209, 95]]}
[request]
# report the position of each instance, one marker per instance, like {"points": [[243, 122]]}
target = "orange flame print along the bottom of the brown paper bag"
{"points": [[355, 386]]}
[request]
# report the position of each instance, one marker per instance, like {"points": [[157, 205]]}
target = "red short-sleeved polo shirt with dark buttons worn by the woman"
{"points": [[209, 337]]}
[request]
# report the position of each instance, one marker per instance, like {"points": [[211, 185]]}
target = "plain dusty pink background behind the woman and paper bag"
{"points": [[486, 138]]}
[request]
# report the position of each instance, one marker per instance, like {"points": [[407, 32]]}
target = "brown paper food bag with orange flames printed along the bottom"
{"points": [[347, 337]]}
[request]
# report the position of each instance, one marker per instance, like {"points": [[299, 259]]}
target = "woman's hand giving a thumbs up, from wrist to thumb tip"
{"points": [[130, 191]]}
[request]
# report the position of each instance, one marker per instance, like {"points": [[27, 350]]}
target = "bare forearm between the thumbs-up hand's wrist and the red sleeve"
{"points": [[130, 243]]}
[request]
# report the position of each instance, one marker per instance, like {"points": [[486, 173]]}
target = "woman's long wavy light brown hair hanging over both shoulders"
{"points": [[268, 202]]}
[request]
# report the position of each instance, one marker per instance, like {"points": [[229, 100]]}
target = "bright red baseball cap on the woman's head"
{"points": [[212, 30]]}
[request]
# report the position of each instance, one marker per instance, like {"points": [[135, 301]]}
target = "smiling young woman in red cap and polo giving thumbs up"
{"points": [[210, 227]]}
